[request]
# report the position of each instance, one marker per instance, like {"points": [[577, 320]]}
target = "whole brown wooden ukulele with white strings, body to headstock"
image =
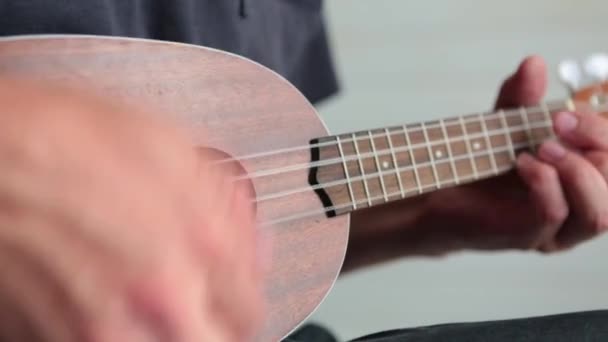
{"points": [[305, 181]]}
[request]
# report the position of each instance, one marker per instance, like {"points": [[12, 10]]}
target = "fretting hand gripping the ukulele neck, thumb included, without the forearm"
{"points": [[556, 199]]}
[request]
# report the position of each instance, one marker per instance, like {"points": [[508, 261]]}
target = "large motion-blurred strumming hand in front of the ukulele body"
{"points": [[112, 228]]}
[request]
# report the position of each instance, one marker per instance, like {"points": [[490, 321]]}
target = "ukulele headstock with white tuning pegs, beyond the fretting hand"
{"points": [[587, 81]]}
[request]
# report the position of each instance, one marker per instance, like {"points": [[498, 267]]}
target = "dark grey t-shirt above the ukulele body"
{"points": [[288, 36]]}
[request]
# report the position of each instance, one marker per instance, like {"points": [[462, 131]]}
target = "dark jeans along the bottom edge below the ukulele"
{"points": [[590, 326]]}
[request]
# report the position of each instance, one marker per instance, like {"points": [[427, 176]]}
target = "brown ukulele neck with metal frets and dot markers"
{"points": [[368, 168]]}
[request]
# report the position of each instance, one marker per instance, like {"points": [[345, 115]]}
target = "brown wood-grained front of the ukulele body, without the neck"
{"points": [[227, 103]]}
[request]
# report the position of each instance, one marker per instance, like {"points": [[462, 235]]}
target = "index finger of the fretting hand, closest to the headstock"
{"points": [[582, 130]]}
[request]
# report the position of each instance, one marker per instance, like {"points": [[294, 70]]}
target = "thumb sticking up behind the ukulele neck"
{"points": [[526, 86]]}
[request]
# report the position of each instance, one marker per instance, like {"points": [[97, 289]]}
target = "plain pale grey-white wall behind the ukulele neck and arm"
{"points": [[403, 61]]}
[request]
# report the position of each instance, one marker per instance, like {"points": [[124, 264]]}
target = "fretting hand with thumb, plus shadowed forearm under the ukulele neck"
{"points": [[552, 201]]}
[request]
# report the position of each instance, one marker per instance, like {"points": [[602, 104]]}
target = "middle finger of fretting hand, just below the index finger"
{"points": [[585, 188]]}
